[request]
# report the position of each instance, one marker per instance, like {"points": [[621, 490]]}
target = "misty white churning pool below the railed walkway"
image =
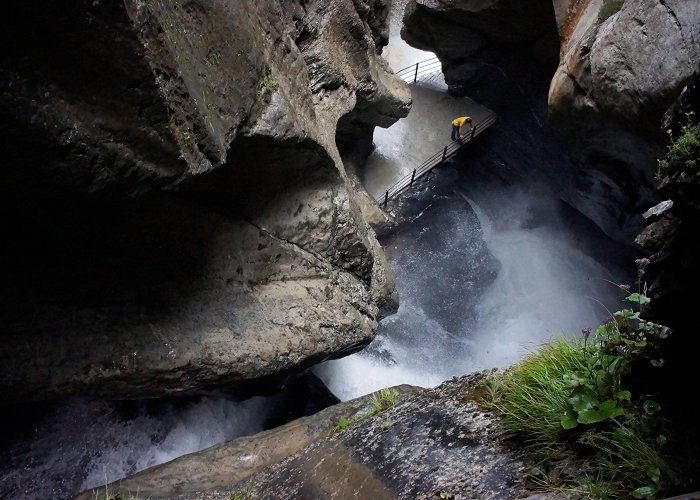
{"points": [[478, 289]]}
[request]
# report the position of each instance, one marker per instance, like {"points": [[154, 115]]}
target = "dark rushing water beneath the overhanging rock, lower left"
{"points": [[80, 444]]}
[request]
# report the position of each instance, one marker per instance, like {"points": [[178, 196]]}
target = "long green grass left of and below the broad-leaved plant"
{"points": [[614, 459]]}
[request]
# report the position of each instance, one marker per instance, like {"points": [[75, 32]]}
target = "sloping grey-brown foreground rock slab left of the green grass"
{"points": [[430, 441]]}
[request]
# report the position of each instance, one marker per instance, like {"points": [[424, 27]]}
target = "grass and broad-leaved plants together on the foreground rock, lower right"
{"points": [[579, 414]]}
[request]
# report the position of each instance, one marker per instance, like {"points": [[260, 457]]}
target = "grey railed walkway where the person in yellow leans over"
{"points": [[399, 158]]}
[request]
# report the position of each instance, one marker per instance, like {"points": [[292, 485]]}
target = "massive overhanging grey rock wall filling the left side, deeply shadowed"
{"points": [[176, 211]]}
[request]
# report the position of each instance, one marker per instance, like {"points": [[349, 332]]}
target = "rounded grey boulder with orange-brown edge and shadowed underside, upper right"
{"points": [[618, 76]]}
